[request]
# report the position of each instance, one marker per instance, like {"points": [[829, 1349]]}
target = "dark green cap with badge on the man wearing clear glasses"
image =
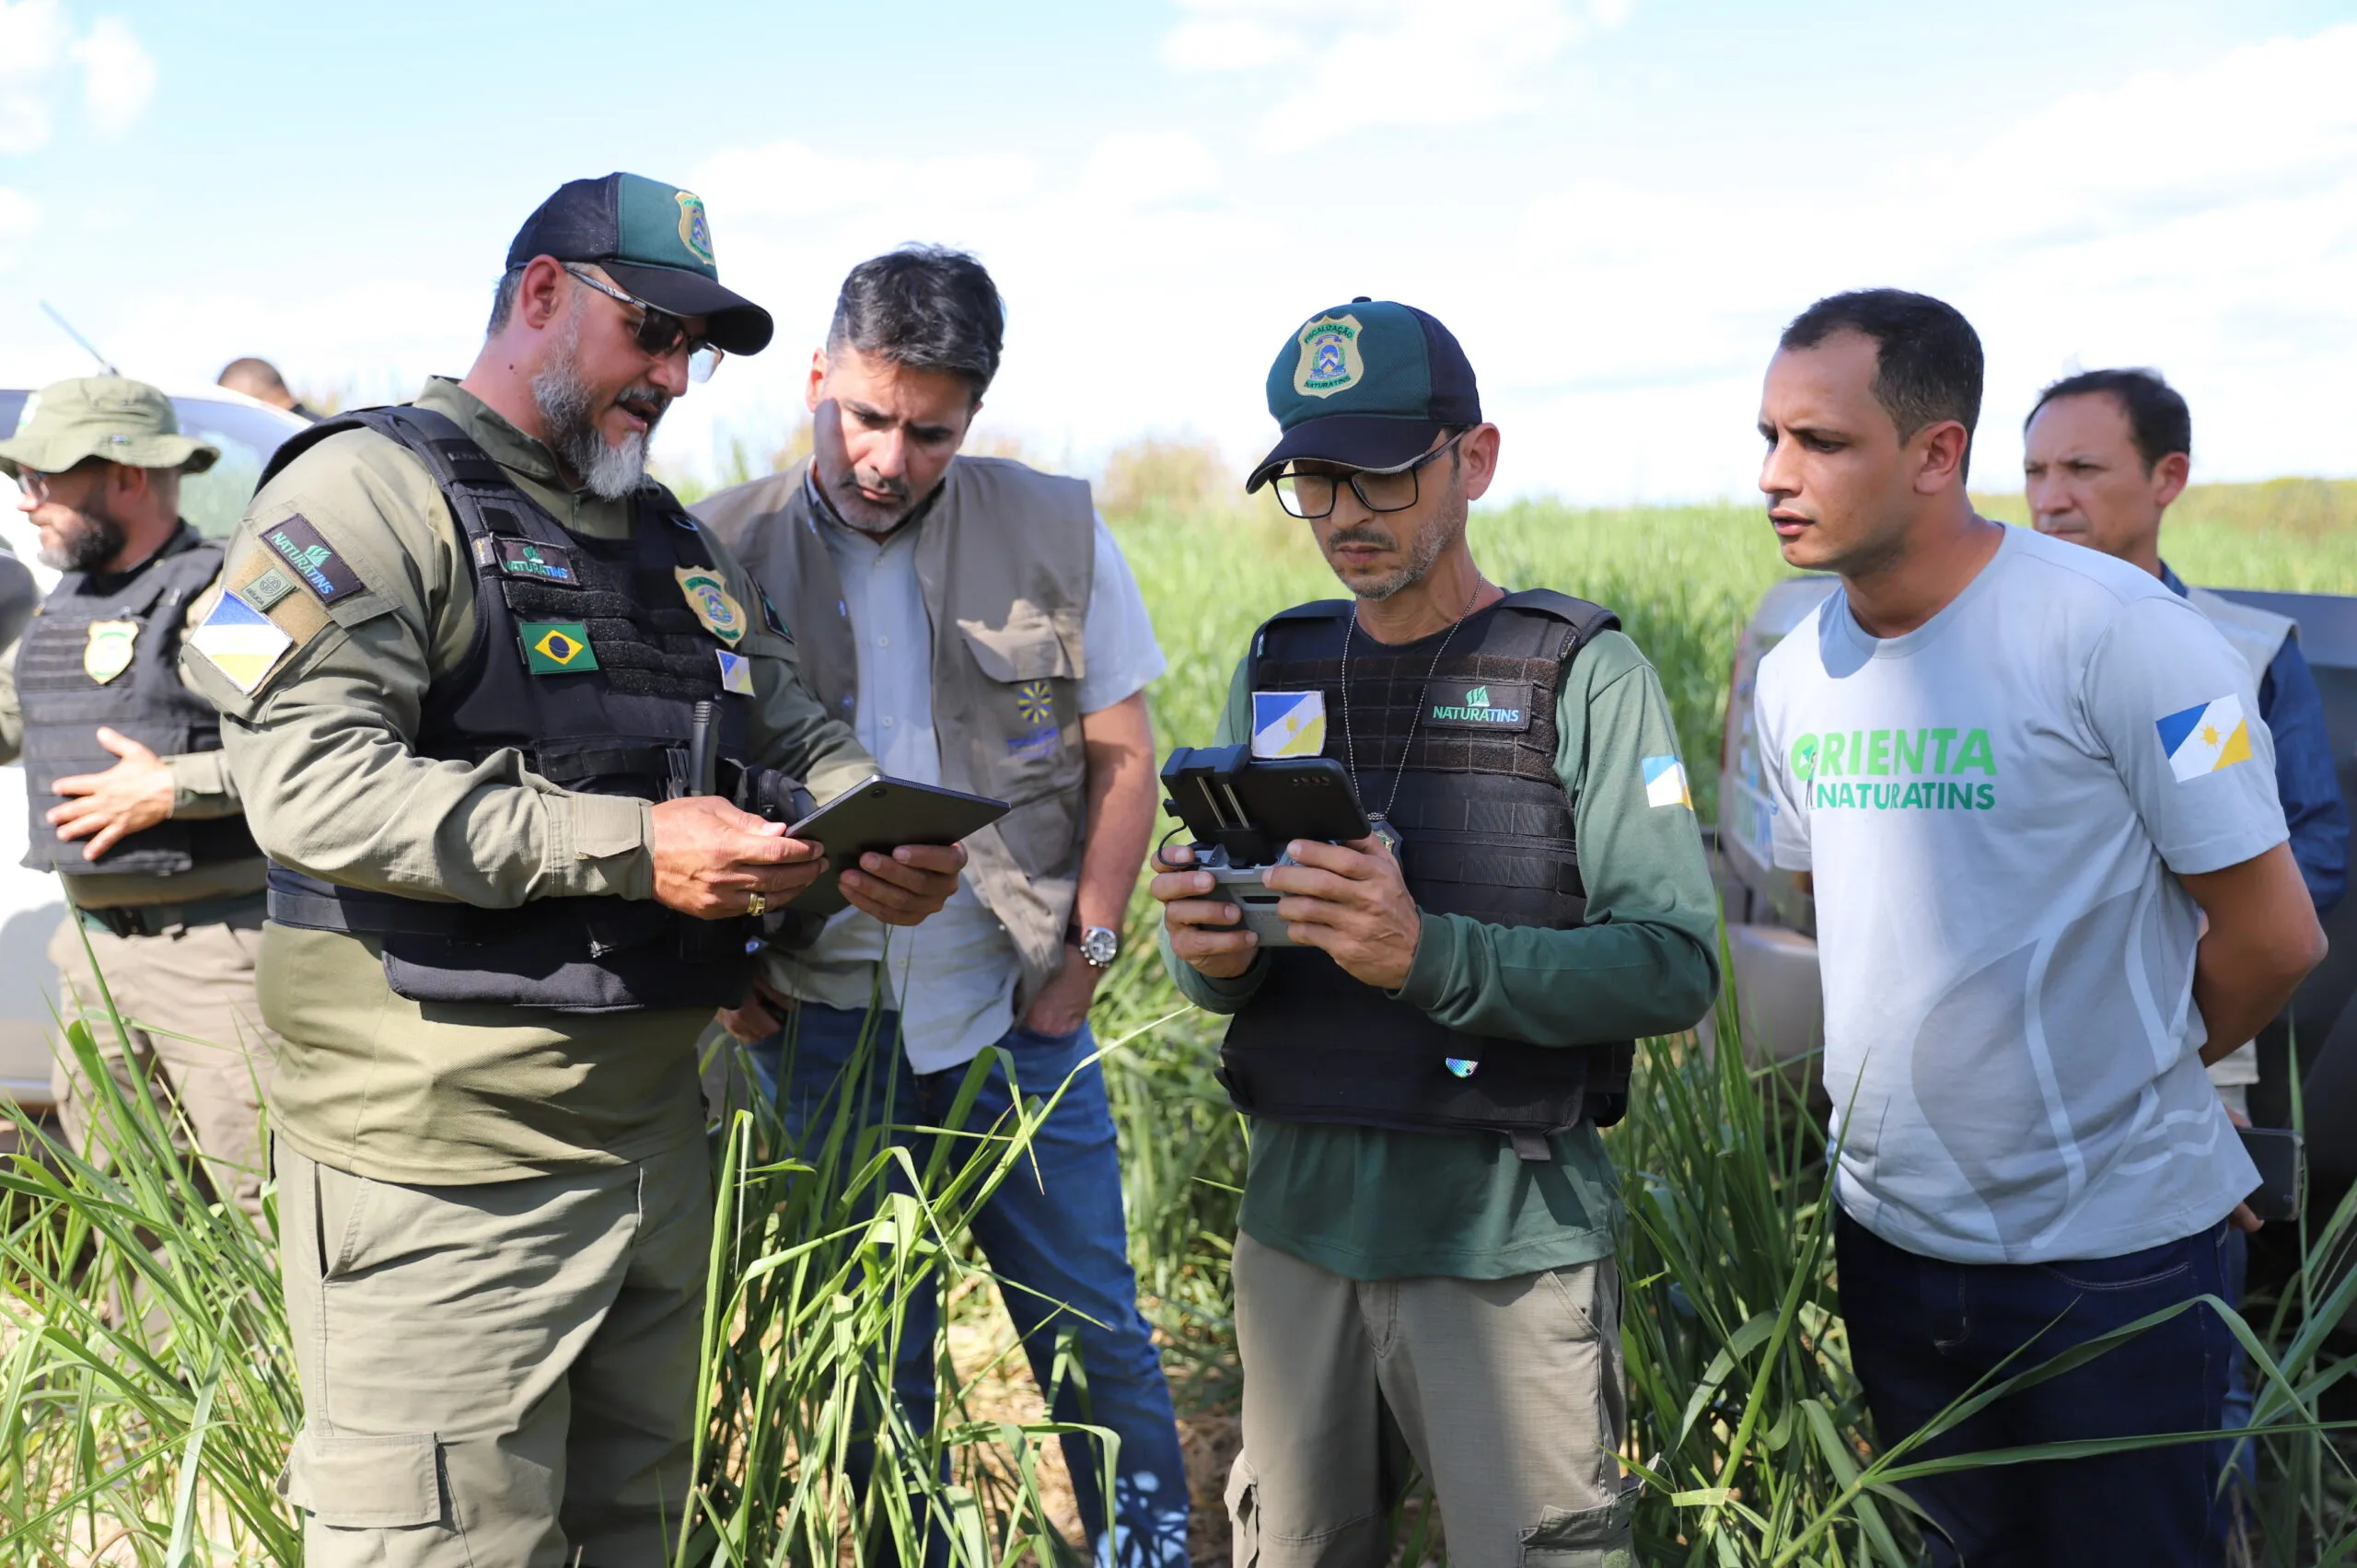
{"points": [[1368, 386]]}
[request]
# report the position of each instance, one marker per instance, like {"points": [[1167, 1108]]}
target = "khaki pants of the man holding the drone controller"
{"points": [[1507, 1395]]}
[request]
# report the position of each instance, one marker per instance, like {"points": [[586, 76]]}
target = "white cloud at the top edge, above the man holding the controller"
{"points": [[1331, 70]]}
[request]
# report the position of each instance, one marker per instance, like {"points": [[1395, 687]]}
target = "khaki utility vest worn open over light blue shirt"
{"points": [[1005, 560]]}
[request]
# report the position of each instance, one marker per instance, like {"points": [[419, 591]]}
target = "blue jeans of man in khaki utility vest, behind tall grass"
{"points": [[1057, 1239]]}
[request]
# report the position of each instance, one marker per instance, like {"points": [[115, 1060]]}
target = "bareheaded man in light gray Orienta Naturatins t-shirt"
{"points": [[2040, 817]]}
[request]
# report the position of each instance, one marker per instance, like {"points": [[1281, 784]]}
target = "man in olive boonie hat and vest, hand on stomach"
{"points": [[131, 796]]}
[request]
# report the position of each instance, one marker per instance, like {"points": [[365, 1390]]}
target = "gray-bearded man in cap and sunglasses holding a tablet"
{"points": [[517, 737]]}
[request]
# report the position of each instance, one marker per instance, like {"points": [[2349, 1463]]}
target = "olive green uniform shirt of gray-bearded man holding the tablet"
{"points": [[324, 756]]}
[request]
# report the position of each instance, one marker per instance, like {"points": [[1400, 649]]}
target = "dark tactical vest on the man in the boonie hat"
{"points": [[105, 650]]}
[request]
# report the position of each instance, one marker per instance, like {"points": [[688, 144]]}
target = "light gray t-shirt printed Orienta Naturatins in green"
{"points": [[1990, 810]]}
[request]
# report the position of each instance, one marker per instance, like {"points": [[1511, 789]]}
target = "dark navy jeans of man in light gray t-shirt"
{"points": [[1922, 1333]]}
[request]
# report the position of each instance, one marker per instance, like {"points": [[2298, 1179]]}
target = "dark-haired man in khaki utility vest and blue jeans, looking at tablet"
{"points": [[979, 628]]}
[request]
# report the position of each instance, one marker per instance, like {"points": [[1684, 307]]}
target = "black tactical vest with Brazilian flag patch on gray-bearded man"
{"points": [[619, 725]]}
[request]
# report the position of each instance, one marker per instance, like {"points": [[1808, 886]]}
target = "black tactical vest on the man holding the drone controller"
{"points": [[1488, 834]]}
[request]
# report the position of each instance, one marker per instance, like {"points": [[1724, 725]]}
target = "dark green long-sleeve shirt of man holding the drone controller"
{"points": [[1373, 1204]]}
